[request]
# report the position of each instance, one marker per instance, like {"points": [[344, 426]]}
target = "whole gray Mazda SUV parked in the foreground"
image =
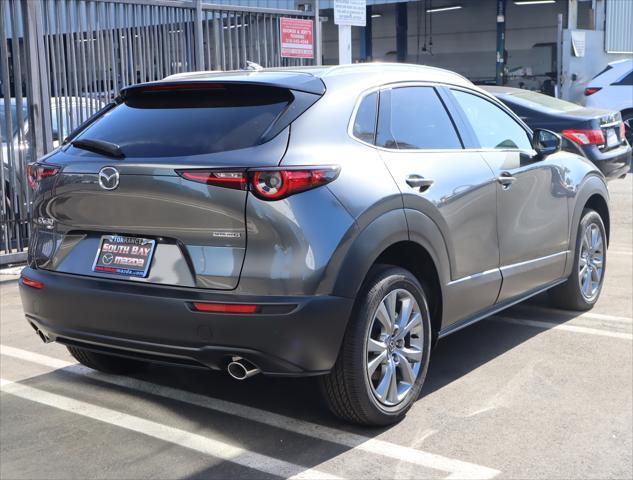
{"points": [[332, 221]]}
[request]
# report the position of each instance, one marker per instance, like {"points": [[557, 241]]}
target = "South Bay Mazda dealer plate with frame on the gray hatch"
{"points": [[123, 255]]}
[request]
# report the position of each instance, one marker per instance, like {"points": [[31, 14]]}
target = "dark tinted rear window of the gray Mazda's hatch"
{"points": [[170, 123]]}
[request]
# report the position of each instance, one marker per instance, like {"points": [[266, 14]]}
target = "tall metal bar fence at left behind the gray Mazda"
{"points": [[62, 60]]}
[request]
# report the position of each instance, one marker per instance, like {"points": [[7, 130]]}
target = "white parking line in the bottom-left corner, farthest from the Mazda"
{"points": [[176, 436]]}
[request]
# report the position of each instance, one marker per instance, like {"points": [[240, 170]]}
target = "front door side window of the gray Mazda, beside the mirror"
{"points": [[493, 127]]}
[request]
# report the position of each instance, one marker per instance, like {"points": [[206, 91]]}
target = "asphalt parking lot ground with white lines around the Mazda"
{"points": [[530, 393]]}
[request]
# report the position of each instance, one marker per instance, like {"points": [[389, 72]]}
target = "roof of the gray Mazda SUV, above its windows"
{"points": [[364, 75]]}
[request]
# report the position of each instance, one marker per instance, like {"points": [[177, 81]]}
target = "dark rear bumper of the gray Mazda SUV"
{"points": [[157, 323]]}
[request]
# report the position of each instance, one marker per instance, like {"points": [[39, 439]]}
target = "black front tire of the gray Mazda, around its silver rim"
{"points": [[569, 295]]}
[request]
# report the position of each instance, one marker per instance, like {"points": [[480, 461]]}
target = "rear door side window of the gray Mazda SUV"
{"points": [[416, 119]]}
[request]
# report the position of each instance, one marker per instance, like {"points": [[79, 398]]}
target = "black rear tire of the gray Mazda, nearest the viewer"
{"points": [[347, 389]]}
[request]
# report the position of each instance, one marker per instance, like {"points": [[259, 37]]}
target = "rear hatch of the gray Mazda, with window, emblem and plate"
{"points": [[124, 206]]}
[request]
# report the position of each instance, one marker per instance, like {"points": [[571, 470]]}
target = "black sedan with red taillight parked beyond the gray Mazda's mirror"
{"points": [[597, 134]]}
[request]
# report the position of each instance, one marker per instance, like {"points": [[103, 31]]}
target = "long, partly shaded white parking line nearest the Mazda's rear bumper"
{"points": [[456, 468]]}
